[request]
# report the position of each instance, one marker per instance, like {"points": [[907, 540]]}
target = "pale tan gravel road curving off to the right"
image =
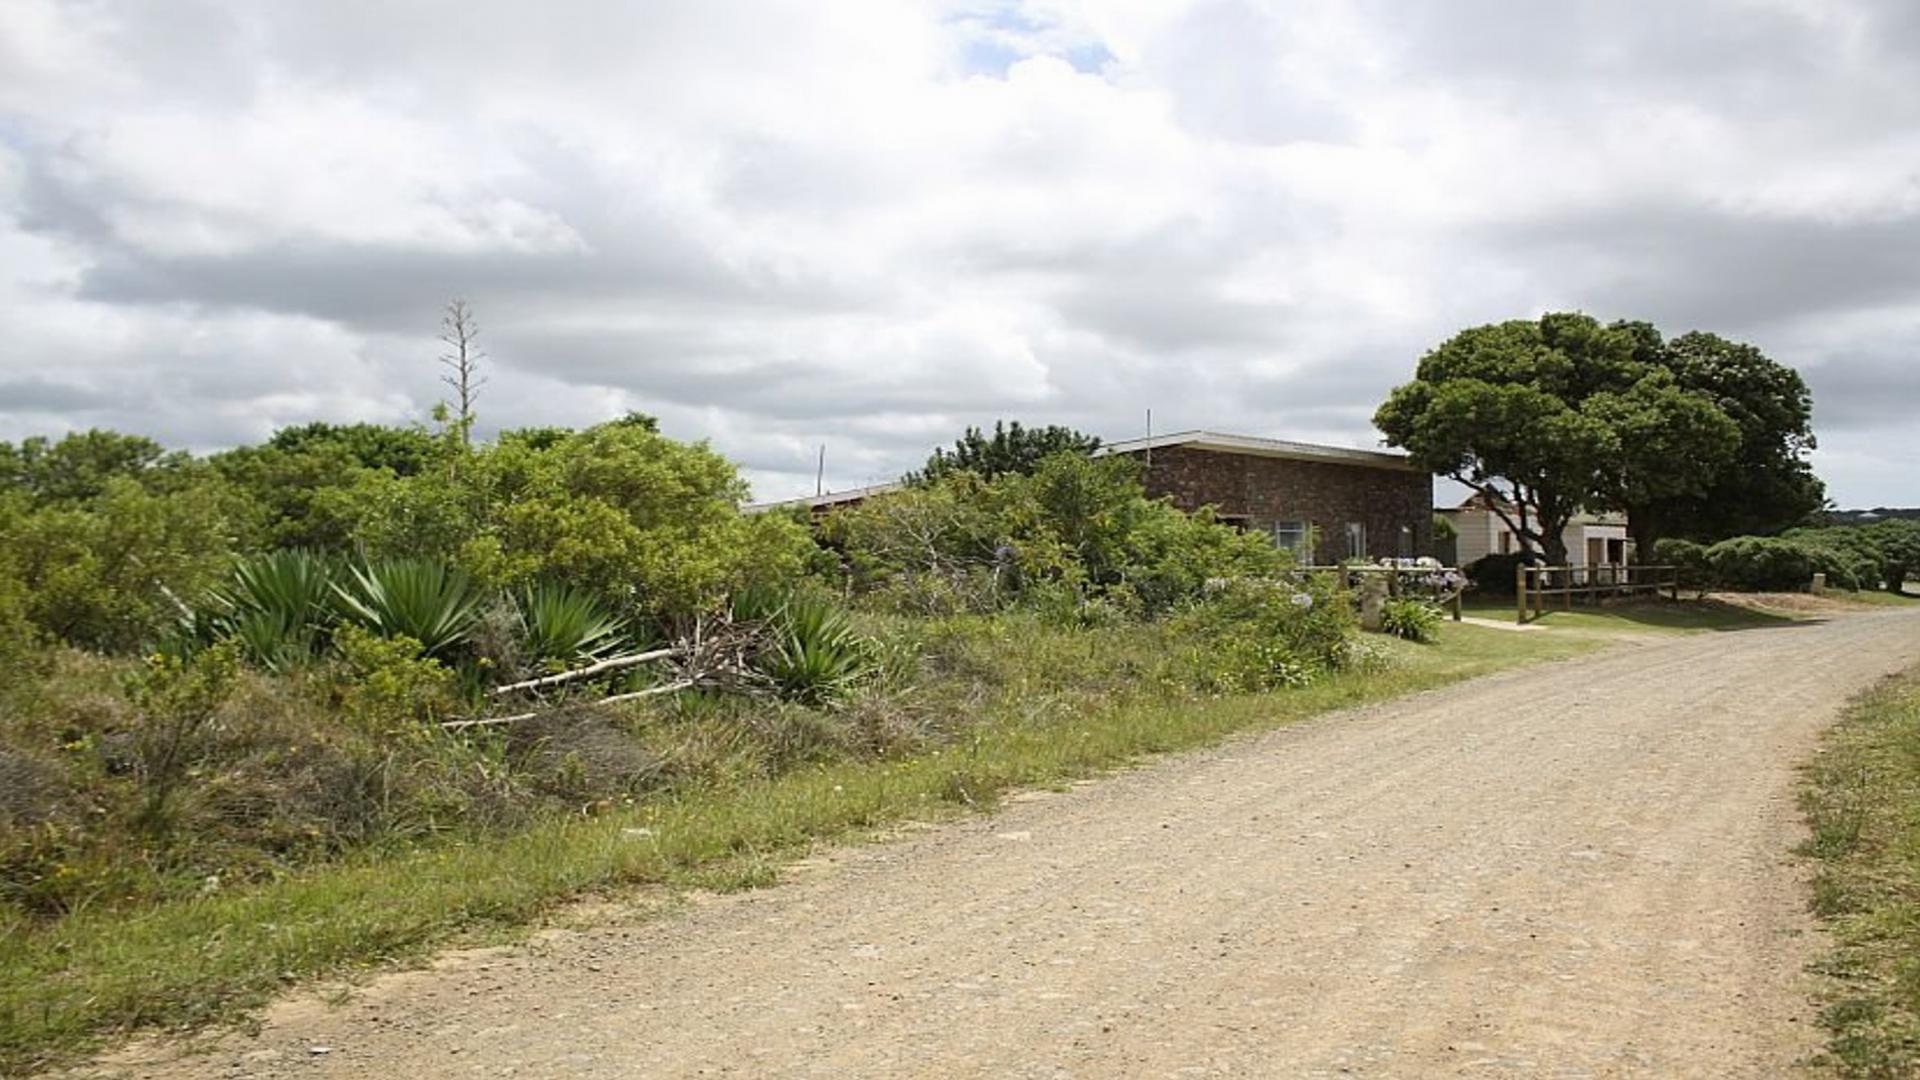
{"points": [[1579, 870]]}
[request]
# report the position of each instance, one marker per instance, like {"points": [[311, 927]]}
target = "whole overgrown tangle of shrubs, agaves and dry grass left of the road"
{"points": [[310, 612]]}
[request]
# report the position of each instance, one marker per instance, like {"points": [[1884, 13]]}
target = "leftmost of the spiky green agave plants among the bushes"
{"points": [[277, 606]]}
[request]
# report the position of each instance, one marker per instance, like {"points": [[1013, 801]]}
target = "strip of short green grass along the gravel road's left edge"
{"points": [[68, 985]]}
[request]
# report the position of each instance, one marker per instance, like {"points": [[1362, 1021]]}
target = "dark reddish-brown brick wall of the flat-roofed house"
{"points": [[1272, 491]]}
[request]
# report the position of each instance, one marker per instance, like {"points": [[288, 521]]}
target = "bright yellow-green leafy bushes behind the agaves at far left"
{"points": [[107, 539]]}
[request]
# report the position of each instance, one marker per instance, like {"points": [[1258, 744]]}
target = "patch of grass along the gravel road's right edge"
{"points": [[1863, 804]]}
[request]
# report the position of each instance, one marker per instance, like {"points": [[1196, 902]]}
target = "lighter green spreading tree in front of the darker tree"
{"points": [[1547, 418]]}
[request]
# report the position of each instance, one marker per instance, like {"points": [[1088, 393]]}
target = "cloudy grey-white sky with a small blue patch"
{"points": [[875, 222]]}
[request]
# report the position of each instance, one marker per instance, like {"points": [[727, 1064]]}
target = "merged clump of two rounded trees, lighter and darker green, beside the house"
{"points": [[1552, 416]]}
